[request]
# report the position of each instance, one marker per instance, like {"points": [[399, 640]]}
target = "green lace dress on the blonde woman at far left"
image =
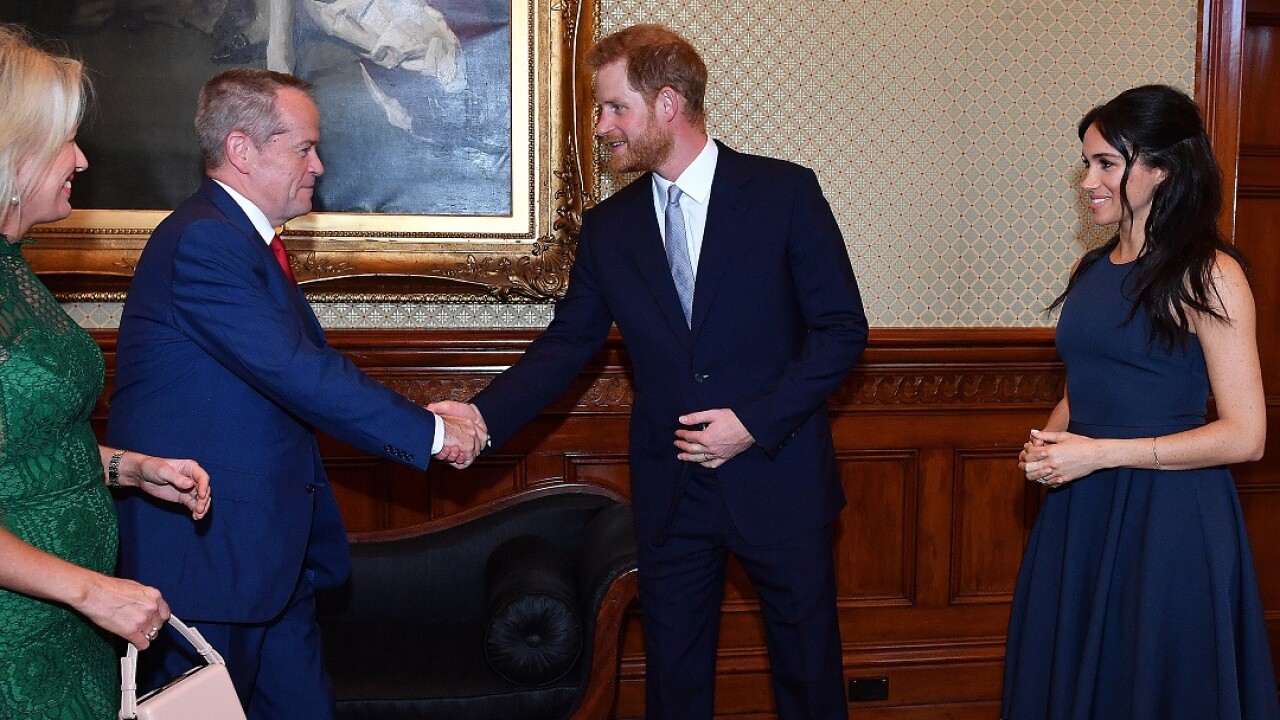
{"points": [[53, 663]]}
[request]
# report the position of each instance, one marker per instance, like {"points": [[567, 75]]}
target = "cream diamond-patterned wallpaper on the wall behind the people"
{"points": [[944, 134]]}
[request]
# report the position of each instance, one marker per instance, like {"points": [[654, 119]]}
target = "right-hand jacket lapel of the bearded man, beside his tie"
{"points": [[723, 239]]}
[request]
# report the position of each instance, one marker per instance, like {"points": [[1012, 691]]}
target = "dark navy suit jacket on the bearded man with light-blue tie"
{"points": [[778, 323]]}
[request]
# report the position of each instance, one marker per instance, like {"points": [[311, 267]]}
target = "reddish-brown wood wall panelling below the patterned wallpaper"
{"points": [[927, 431]]}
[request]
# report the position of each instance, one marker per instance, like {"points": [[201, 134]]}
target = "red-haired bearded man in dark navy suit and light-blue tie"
{"points": [[729, 280]]}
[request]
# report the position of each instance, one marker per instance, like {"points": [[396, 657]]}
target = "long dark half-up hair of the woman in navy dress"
{"points": [[1160, 127]]}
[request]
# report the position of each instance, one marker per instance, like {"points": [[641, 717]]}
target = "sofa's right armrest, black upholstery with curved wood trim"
{"points": [[607, 585]]}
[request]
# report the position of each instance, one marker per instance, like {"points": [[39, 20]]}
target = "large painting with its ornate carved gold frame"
{"points": [[450, 131]]}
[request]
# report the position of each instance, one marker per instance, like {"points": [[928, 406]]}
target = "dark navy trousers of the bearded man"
{"points": [[682, 589]]}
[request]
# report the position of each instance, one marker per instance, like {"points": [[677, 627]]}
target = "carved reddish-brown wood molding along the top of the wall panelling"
{"points": [[902, 368]]}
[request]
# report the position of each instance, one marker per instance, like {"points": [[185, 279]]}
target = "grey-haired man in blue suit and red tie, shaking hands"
{"points": [[221, 356]]}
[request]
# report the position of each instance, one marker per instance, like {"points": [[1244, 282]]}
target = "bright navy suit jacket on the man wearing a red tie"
{"points": [[222, 361]]}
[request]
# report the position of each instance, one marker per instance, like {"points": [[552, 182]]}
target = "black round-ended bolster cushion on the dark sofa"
{"points": [[534, 632]]}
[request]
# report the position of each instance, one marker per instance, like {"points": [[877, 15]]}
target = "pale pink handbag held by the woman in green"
{"points": [[200, 694]]}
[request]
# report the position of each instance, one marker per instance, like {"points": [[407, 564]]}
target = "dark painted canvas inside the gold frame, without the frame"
{"points": [[415, 95]]}
